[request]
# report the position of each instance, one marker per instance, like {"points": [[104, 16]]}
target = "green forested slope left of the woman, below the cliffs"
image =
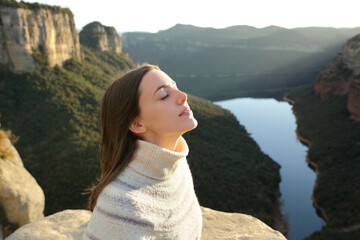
{"points": [[55, 113]]}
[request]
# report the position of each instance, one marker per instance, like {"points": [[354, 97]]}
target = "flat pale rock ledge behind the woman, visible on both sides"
{"points": [[71, 224]]}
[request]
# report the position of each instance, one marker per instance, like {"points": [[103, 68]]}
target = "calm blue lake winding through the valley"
{"points": [[272, 125]]}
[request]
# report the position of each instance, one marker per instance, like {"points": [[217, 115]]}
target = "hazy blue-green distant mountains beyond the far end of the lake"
{"points": [[238, 61]]}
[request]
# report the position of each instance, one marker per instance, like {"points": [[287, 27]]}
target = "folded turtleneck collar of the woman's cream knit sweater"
{"points": [[156, 162]]}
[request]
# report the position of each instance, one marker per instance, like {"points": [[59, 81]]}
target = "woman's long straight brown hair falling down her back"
{"points": [[119, 108]]}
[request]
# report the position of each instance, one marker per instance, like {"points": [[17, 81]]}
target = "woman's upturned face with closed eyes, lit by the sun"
{"points": [[164, 111]]}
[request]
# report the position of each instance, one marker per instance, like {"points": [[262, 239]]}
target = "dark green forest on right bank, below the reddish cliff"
{"points": [[335, 150]]}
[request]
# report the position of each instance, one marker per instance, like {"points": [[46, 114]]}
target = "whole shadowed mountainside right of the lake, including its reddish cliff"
{"points": [[327, 113]]}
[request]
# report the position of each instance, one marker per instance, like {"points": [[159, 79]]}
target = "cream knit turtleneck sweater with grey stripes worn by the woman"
{"points": [[153, 198]]}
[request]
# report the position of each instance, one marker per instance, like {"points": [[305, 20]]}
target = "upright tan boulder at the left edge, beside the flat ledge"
{"points": [[21, 197]]}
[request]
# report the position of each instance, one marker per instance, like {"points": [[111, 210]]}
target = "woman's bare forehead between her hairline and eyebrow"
{"points": [[152, 80]]}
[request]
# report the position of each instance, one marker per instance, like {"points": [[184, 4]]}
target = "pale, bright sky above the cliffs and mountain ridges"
{"points": [[155, 15]]}
